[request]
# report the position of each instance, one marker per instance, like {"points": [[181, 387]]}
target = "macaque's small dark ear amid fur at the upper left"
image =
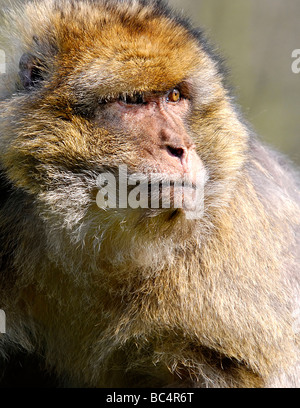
{"points": [[30, 70]]}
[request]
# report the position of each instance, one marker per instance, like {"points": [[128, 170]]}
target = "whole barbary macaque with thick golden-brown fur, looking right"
{"points": [[205, 294]]}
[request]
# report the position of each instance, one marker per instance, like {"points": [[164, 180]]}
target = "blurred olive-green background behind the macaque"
{"points": [[256, 38]]}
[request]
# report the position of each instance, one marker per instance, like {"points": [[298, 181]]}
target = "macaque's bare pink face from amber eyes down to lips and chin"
{"points": [[153, 125]]}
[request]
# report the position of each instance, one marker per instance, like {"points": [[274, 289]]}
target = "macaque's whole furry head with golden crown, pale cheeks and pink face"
{"points": [[128, 85]]}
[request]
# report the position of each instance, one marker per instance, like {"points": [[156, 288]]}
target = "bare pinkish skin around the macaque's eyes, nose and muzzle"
{"points": [[156, 125]]}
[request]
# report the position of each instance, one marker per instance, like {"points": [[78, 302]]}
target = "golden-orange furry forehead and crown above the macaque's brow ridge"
{"points": [[115, 46]]}
